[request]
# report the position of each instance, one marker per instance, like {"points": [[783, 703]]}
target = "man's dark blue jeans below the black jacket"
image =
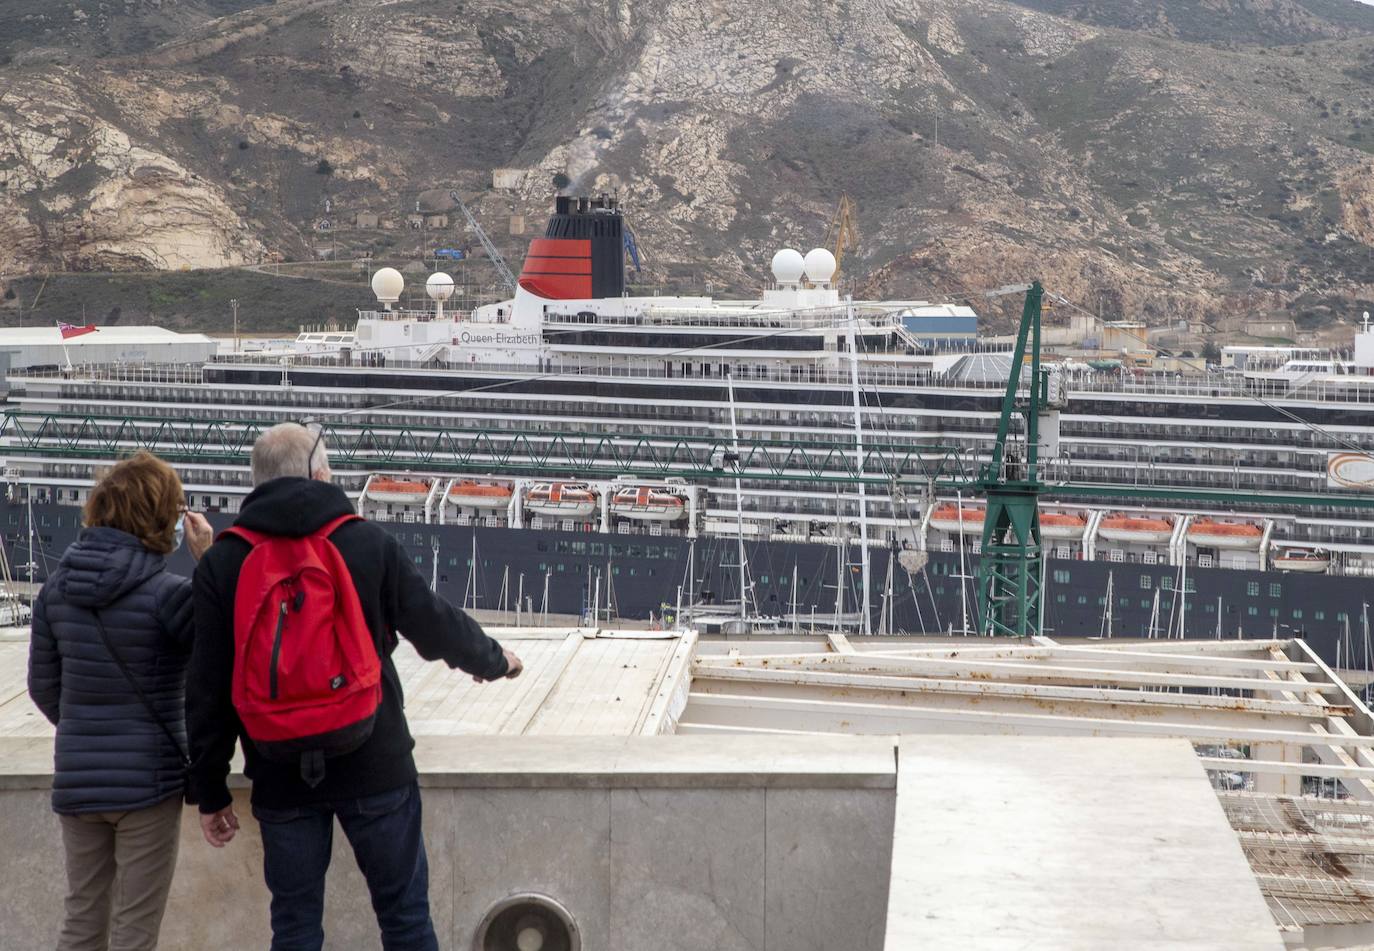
{"points": [[385, 835]]}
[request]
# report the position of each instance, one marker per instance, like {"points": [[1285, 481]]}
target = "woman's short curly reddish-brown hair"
{"points": [[142, 495]]}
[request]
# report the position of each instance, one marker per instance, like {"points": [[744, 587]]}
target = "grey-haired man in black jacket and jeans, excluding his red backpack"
{"points": [[372, 791]]}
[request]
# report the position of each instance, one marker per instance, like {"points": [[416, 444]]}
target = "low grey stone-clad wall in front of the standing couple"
{"points": [[674, 843]]}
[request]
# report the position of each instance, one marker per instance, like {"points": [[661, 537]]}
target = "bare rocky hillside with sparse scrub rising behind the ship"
{"points": [[1156, 159]]}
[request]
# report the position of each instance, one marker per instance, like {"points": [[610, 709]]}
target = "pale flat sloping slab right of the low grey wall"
{"points": [[1067, 844]]}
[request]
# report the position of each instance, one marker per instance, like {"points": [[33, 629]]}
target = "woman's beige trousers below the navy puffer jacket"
{"points": [[119, 873]]}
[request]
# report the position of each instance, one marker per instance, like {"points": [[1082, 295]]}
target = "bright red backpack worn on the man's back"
{"points": [[307, 677]]}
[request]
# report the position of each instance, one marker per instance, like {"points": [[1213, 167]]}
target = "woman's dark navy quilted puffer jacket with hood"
{"points": [[112, 757]]}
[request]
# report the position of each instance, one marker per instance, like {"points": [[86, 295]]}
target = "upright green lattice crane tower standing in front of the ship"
{"points": [[1012, 564]]}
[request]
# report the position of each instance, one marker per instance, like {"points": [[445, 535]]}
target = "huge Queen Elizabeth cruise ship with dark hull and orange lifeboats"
{"points": [[799, 461]]}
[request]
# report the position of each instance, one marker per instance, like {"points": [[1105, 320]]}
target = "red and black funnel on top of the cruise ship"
{"points": [[582, 255]]}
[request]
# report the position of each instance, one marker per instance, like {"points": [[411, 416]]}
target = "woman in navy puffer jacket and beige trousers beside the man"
{"points": [[112, 637]]}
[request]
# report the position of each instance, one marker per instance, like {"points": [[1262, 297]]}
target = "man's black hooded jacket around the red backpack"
{"points": [[395, 598]]}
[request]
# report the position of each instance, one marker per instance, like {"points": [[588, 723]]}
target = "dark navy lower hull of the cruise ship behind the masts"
{"points": [[649, 574]]}
